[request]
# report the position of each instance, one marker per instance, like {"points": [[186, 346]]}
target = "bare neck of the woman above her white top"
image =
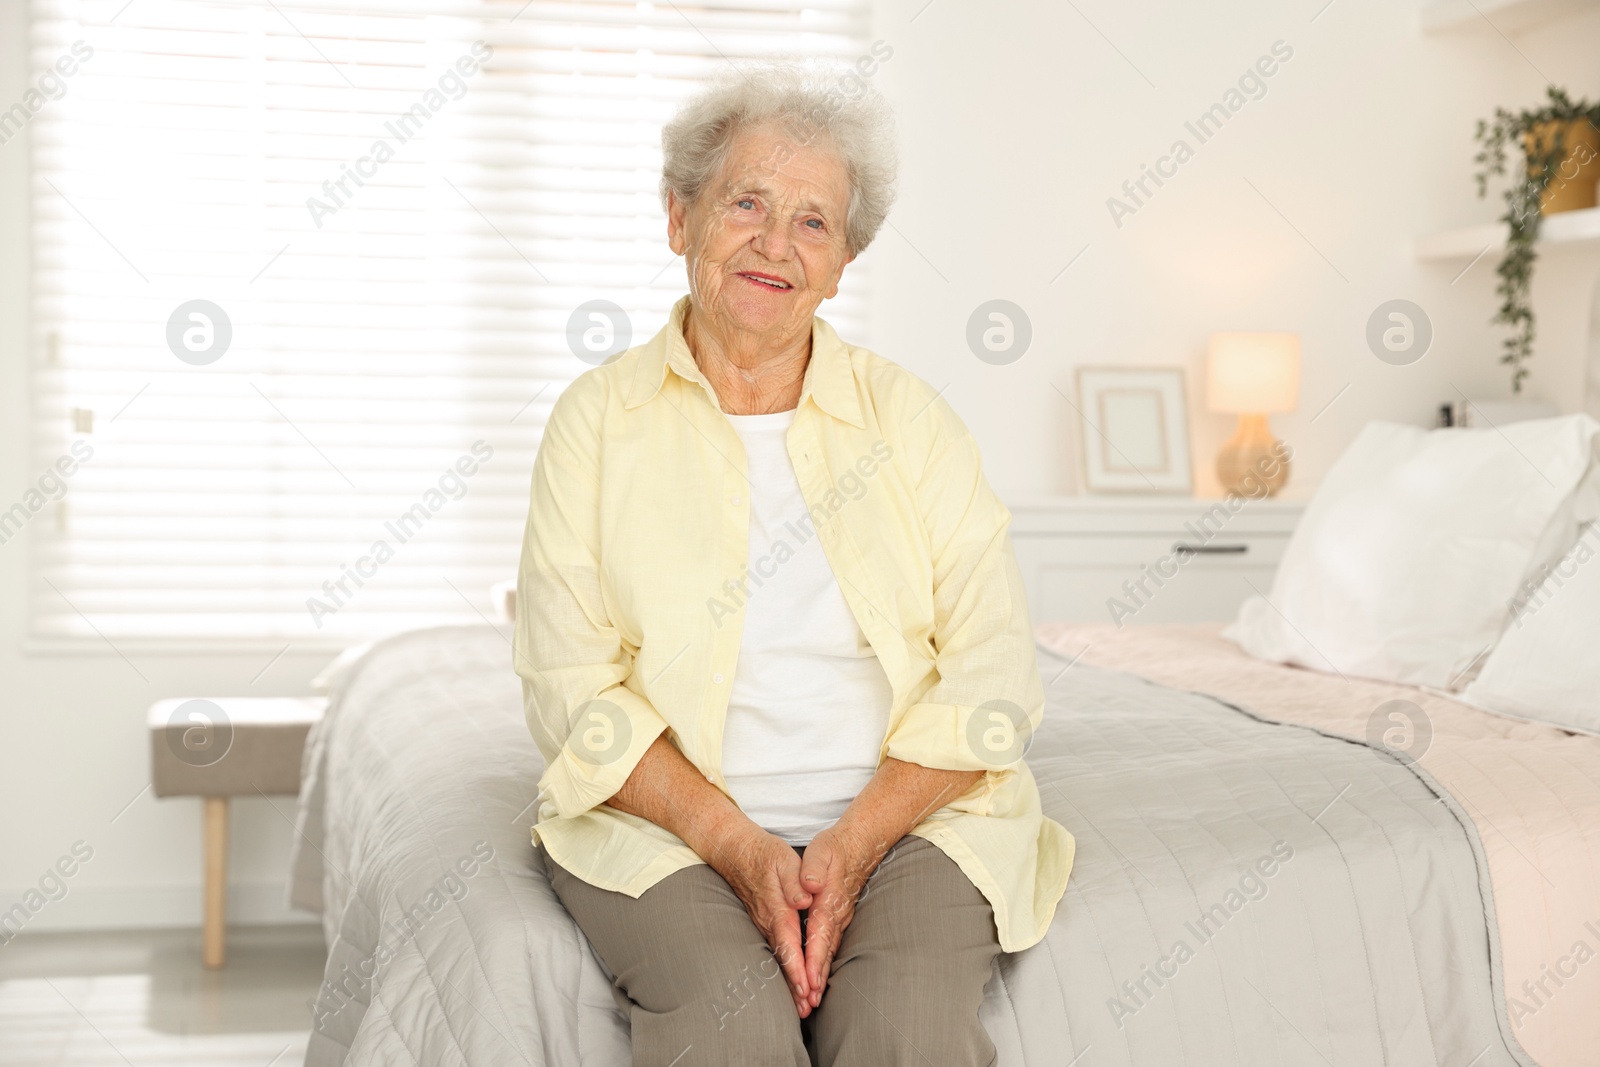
{"points": [[750, 374]]}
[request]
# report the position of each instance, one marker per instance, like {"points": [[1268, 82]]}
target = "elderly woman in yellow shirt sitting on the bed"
{"points": [[774, 637]]}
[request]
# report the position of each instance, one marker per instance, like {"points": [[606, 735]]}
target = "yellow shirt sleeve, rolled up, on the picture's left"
{"points": [[590, 725]]}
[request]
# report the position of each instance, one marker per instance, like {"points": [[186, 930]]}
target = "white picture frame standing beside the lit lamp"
{"points": [[1134, 430]]}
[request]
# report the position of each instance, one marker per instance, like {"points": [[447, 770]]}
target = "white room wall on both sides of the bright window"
{"points": [[1018, 121]]}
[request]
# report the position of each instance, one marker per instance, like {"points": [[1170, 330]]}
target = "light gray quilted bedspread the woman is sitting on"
{"points": [[1246, 892]]}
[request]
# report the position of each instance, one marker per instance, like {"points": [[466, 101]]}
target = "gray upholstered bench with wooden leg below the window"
{"points": [[225, 748]]}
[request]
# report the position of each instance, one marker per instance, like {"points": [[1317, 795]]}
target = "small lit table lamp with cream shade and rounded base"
{"points": [[1252, 375]]}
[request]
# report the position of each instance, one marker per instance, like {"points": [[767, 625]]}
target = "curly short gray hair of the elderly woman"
{"points": [[812, 102]]}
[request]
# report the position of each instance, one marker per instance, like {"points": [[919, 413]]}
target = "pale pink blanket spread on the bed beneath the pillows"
{"points": [[1532, 791]]}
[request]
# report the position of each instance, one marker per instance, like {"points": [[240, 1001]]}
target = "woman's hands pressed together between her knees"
{"points": [[775, 885]]}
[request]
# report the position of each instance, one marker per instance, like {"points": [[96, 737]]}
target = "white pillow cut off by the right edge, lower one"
{"points": [[1548, 665]]}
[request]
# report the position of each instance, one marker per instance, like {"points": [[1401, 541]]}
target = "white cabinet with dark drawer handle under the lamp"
{"points": [[1148, 559]]}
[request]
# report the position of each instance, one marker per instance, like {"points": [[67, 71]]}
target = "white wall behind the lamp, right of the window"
{"points": [[1018, 121]]}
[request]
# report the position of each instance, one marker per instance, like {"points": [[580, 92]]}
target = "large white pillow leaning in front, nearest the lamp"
{"points": [[1406, 561]]}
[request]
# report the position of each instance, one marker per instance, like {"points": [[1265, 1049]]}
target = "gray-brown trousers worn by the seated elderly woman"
{"points": [[703, 989]]}
